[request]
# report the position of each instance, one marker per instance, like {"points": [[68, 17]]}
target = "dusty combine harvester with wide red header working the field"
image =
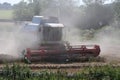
{"points": [[52, 47]]}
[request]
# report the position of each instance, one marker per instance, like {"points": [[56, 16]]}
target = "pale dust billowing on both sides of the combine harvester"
{"points": [[13, 42]]}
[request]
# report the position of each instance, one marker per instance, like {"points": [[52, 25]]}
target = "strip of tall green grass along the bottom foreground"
{"points": [[17, 72]]}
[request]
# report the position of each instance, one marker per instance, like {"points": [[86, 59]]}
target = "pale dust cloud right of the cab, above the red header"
{"points": [[107, 37]]}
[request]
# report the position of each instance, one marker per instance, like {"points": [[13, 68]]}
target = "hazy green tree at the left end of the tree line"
{"points": [[23, 11]]}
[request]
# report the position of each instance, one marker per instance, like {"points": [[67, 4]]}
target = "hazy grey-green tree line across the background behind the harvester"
{"points": [[93, 13]]}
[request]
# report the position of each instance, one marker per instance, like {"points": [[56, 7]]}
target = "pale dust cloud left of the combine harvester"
{"points": [[14, 41]]}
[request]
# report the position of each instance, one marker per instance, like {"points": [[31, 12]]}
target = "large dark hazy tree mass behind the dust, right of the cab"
{"points": [[95, 16]]}
